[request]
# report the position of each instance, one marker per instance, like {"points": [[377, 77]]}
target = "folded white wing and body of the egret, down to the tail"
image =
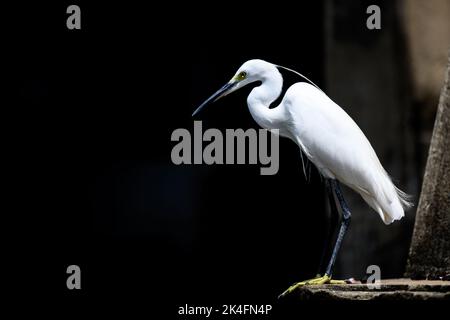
{"points": [[339, 149]]}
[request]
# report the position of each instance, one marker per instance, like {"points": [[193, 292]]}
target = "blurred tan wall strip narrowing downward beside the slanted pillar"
{"points": [[426, 33]]}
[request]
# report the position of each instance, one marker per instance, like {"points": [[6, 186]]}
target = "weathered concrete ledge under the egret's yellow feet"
{"points": [[391, 290]]}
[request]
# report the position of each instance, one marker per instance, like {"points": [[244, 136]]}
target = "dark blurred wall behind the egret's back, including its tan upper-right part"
{"points": [[389, 81]]}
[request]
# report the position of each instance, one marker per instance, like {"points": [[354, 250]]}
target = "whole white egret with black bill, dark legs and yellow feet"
{"points": [[328, 137]]}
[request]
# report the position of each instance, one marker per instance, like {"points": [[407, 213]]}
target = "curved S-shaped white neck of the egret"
{"points": [[262, 96]]}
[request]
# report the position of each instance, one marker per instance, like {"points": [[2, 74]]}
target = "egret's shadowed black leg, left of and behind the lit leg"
{"points": [[331, 223]]}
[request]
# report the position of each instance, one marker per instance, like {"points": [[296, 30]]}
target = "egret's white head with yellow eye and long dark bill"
{"points": [[250, 71]]}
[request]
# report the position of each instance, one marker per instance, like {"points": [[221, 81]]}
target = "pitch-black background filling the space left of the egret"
{"points": [[97, 109]]}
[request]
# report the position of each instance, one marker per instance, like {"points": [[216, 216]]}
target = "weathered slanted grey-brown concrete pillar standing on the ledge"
{"points": [[429, 255]]}
